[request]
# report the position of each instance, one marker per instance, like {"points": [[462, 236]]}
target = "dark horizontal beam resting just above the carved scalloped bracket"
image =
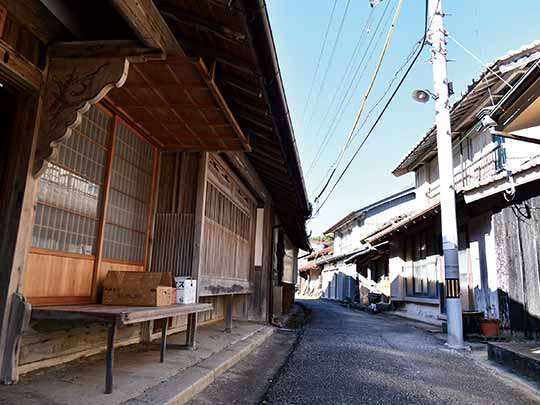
{"points": [[105, 49]]}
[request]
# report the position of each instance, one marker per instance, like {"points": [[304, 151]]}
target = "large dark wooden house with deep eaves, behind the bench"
{"points": [[140, 136]]}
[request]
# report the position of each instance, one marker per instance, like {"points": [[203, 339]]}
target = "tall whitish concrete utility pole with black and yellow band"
{"points": [[446, 177]]}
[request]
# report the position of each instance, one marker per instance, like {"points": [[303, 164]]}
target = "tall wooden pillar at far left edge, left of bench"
{"points": [[17, 207]]}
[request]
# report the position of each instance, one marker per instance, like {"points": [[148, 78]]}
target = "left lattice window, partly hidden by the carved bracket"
{"points": [[67, 211]]}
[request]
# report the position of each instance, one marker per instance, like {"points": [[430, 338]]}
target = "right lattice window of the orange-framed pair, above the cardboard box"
{"points": [[129, 197]]}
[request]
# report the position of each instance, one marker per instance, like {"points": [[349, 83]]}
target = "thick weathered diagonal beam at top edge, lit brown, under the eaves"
{"points": [[145, 19]]}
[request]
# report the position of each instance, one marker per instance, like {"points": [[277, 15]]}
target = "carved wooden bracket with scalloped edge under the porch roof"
{"points": [[72, 86]]}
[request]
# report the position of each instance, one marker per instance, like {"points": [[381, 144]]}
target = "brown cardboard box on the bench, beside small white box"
{"points": [[137, 288]]}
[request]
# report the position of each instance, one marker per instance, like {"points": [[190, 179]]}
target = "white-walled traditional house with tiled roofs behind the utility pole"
{"points": [[496, 130]]}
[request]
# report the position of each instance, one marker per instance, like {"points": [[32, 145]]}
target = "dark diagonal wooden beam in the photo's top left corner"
{"points": [[37, 19]]}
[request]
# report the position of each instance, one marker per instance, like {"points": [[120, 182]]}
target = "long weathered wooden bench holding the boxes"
{"points": [[117, 316]]}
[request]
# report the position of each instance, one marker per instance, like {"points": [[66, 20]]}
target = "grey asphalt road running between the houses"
{"points": [[349, 357]]}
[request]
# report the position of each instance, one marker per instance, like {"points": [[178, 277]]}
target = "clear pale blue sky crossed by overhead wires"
{"points": [[489, 28]]}
